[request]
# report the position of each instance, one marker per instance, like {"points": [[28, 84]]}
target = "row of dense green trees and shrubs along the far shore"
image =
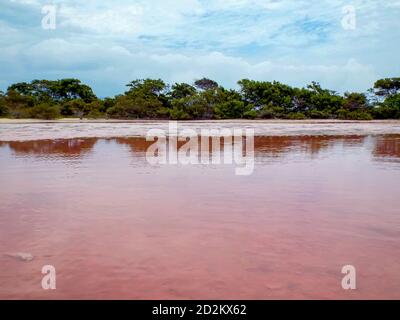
{"points": [[205, 99]]}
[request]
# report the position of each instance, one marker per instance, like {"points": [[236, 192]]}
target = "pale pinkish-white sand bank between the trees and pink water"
{"points": [[28, 130]]}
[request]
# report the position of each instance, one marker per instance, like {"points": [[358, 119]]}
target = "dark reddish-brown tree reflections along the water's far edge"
{"points": [[386, 146]]}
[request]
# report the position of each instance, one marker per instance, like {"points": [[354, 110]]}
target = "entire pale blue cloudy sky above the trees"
{"points": [[109, 43]]}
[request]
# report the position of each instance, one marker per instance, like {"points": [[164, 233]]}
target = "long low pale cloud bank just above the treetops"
{"points": [[115, 66]]}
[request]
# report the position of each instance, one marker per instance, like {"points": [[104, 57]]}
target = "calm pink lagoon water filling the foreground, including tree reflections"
{"points": [[116, 227]]}
